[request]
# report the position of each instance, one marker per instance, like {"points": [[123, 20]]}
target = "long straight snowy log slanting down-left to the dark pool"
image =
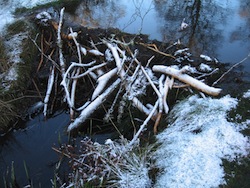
{"points": [[86, 112]]}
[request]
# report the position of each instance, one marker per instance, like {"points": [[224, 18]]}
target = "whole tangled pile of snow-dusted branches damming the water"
{"points": [[114, 67]]}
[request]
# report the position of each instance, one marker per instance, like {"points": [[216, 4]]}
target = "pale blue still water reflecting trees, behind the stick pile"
{"points": [[216, 28]]}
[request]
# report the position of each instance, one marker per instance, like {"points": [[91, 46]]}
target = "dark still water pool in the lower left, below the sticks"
{"points": [[33, 145]]}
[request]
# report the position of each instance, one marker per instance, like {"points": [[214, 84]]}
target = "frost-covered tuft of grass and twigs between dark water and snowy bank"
{"points": [[112, 164]]}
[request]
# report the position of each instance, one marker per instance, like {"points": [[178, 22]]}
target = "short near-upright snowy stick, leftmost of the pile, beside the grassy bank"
{"points": [[49, 89]]}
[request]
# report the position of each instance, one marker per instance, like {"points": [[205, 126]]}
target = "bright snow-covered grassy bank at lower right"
{"points": [[197, 139]]}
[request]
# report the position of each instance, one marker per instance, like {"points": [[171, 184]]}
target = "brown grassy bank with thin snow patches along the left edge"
{"points": [[18, 54]]}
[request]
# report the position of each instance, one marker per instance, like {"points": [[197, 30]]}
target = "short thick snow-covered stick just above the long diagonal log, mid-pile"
{"points": [[102, 82]]}
